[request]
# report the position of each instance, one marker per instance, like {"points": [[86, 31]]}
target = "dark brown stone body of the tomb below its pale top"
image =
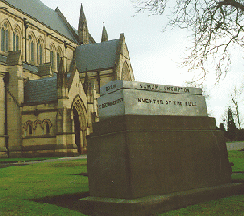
{"points": [[132, 156]]}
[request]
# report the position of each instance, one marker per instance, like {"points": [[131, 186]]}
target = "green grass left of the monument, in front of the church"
{"points": [[20, 185]]}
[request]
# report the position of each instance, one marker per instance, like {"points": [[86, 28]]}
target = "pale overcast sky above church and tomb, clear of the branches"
{"points": [[155, 55]]}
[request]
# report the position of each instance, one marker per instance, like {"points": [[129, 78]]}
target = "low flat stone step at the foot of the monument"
{"points": [[151, 205]]}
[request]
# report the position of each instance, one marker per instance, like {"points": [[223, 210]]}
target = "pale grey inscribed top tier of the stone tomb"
{"points": [[137, 98]]}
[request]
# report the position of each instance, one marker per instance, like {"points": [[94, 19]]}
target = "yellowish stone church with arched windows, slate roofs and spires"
{"points": [[50, 79]]}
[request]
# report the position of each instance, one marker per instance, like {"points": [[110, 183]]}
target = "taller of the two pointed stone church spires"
{"points": [[82, 28]]}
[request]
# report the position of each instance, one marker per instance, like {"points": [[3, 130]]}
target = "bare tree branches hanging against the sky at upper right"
{"points": [[216, 27]]}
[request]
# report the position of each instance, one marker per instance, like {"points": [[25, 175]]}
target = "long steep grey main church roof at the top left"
{"points": [[36, 9]]}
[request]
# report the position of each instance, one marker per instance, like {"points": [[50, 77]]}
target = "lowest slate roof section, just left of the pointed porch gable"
{"points": [[41, 91]]}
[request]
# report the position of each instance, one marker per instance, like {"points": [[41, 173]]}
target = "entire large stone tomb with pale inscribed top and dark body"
{"points": [[151, 141]]}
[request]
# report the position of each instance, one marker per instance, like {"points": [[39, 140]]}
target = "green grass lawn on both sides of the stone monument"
{"points": [[20, 185]]}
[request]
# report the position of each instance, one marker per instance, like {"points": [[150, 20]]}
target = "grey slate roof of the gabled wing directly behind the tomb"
{"points": [[90, 57]]}
